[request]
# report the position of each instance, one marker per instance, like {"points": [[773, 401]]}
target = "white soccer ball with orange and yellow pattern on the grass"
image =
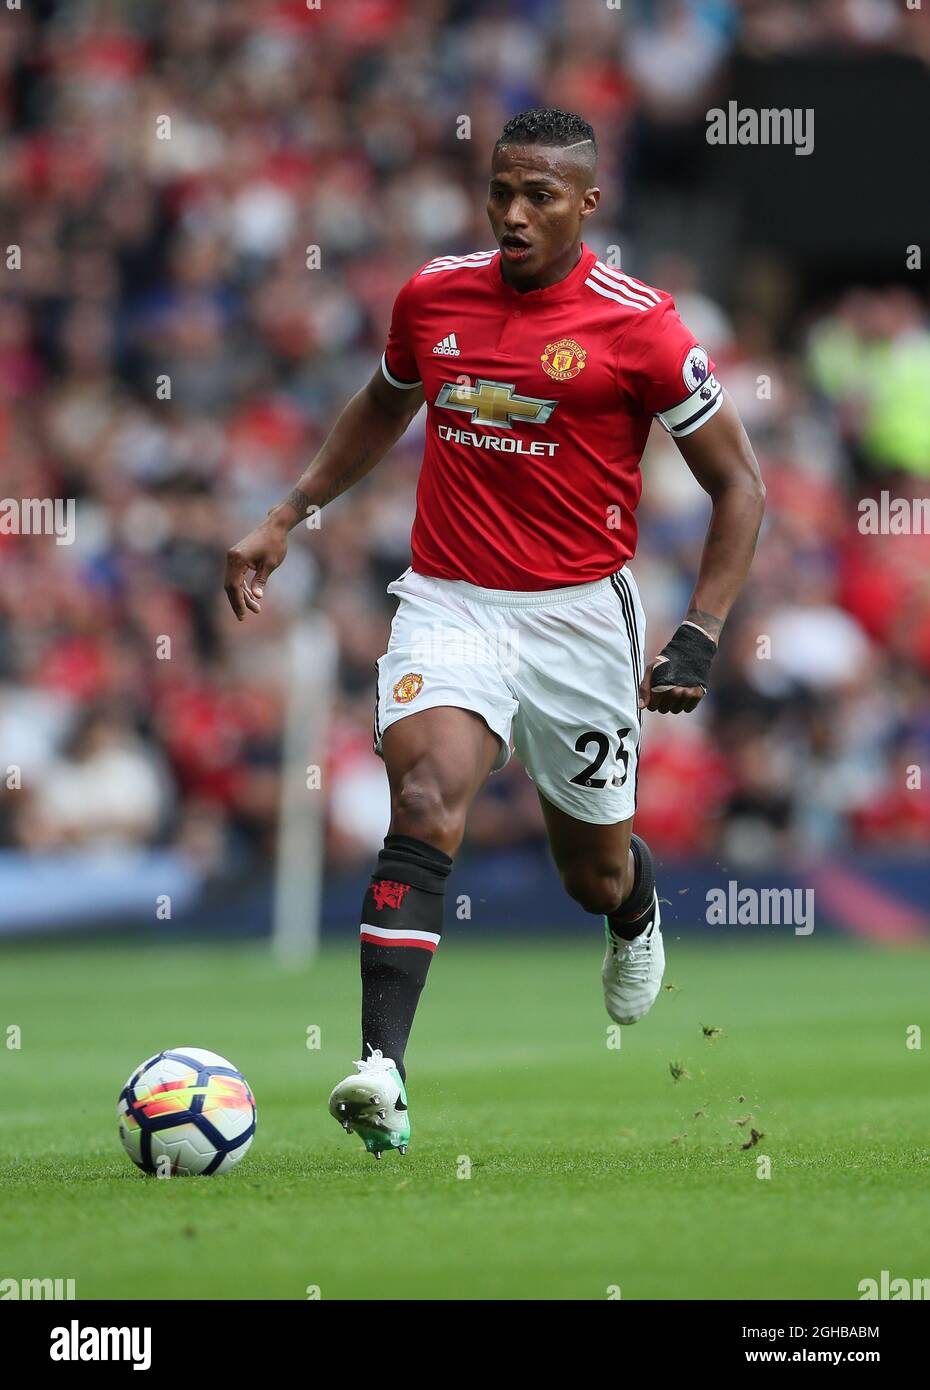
{"points": [[187, 1111]]}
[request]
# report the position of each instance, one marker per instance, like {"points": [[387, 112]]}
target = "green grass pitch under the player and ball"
{"points": [[592, 1168]]}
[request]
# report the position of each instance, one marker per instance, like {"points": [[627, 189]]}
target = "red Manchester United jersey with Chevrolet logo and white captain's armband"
{"points": [[539, 409]]}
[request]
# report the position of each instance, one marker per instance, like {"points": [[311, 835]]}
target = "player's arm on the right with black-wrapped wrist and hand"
{"points": [[721, 458]]}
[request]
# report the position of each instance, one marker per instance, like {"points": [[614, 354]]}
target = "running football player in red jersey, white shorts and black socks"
{"points": [[519, 619]]}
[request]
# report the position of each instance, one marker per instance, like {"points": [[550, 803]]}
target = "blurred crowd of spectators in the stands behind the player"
{"points": [[172, 358]]}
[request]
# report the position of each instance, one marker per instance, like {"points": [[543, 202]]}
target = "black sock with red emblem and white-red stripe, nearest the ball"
{"points": [[401, 929]]}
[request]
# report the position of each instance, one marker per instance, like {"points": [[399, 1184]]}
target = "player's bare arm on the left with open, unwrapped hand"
{"points": [[368, 429]]}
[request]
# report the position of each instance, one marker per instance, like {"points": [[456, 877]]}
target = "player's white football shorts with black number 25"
{"points": [[557, 671]]}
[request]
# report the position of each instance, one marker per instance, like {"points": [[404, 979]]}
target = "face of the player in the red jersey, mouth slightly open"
{"points": [[537, 205]]}
